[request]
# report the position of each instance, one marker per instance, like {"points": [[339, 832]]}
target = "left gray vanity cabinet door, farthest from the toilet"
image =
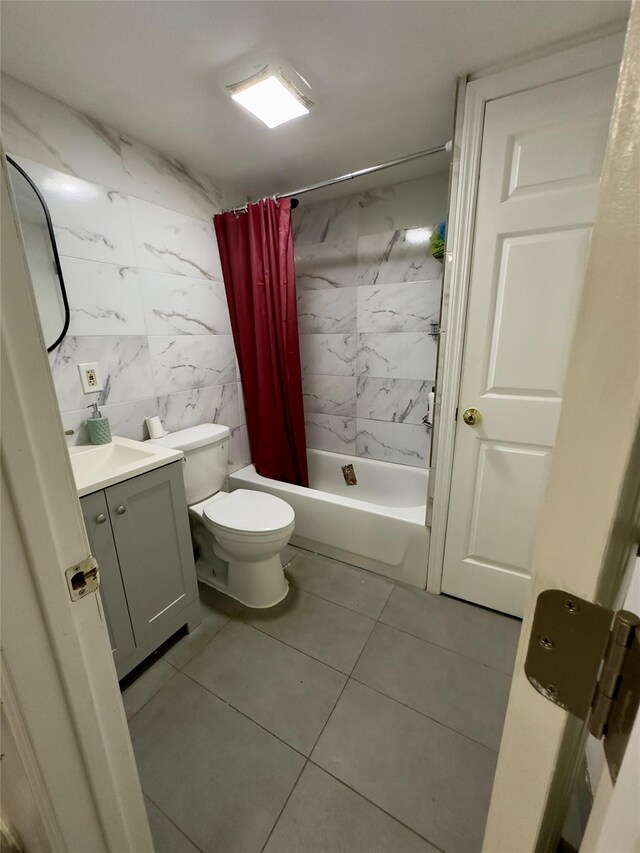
{"points": [[96, 520]]}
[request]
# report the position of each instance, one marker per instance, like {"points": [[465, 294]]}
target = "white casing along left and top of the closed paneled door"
{"points": [[479, 90]]}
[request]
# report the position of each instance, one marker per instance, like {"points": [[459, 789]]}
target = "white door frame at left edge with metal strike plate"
{"points": [[64, 706]]}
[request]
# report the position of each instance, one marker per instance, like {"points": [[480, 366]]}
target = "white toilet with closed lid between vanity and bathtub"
{"points": [[239, 535]]}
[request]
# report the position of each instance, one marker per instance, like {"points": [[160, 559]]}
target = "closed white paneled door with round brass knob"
{"points": [[542, 154]]}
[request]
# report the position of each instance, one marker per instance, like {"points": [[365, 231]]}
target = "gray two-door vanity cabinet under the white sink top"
{"points": [[148, 579]]}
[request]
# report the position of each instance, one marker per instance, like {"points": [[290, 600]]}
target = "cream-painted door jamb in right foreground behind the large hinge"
{"points": [[590, 519]]}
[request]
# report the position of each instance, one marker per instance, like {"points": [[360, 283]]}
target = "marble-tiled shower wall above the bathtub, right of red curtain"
{"points": [[366, 299]]}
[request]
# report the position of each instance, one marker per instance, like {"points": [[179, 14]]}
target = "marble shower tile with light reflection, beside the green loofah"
{"points": [[390, 258]]}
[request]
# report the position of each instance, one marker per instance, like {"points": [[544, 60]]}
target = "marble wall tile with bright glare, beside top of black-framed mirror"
{"points": [[90, 221]]}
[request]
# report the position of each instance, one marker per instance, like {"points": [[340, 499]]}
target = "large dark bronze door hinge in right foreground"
{"points": [[586, 659]]}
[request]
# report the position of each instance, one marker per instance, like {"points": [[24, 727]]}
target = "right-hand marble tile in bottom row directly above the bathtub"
{"points": [[406, 444]]}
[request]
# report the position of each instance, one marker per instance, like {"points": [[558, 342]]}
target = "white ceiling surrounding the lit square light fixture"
{"points": [[383, 73]]}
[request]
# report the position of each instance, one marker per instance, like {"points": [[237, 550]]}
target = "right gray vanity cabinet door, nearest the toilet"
{"points": [[151, 531]]}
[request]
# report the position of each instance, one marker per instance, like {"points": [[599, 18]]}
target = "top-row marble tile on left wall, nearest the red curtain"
{"points": [[151, 175]]}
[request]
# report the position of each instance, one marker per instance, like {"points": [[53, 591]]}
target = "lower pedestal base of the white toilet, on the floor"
{"points": [[257, 585]]}
